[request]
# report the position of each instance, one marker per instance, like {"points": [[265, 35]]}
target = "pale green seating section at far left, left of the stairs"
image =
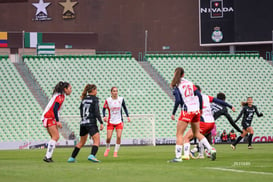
{"points": [[20, 113]]}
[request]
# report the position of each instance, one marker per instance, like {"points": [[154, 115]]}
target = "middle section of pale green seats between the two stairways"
{"points": [[142, 95]]}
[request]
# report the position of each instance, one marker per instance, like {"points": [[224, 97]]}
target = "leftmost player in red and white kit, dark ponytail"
{"points": [[50, 116]]}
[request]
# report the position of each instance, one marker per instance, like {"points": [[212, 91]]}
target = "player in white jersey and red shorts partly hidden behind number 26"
{"points": [[207, 123]]}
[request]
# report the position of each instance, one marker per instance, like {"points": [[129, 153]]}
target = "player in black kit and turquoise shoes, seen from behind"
{"points": [[90, 112]]}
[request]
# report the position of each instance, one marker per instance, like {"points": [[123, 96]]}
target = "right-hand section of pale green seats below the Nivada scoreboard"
{"points": [[238, 76]]}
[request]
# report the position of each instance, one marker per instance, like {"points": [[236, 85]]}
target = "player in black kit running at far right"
{"points": [[248, 111]]}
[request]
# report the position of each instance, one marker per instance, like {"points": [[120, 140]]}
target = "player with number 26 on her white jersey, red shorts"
{"points": [[185, 95]]}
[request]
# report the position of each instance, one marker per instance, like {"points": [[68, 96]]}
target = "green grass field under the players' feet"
{"points": [[144, 163]]}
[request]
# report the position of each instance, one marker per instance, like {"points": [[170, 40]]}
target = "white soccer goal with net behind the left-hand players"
{"points": [[140, 131]]}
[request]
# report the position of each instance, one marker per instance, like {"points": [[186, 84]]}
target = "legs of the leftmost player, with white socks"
{"points": [[54, 133]]}
